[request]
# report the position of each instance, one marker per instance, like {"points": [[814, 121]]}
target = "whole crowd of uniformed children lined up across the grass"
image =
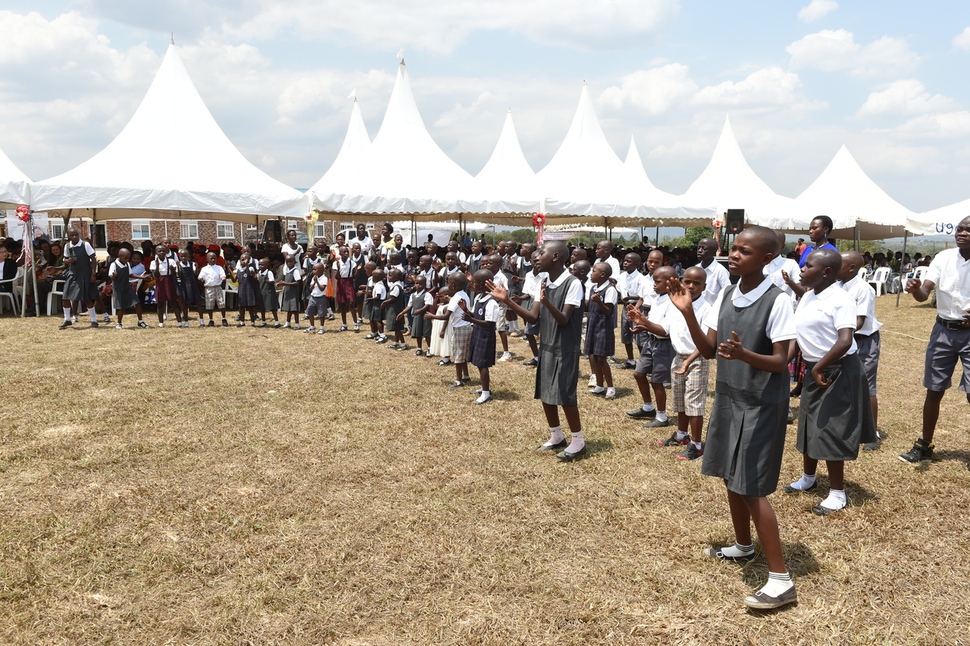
{"points": [[677, 325]]}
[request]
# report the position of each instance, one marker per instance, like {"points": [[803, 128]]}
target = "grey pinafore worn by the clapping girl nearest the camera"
{"points": [[746, 433]]}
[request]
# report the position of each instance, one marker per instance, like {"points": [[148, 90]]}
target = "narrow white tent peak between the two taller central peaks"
{"points": [[506, 185]]}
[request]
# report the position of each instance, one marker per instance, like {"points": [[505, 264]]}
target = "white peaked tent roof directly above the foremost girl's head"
{"points": [[728, 182]]}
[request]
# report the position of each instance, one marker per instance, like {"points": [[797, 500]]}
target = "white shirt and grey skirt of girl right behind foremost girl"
{"points": [[832, 421]]}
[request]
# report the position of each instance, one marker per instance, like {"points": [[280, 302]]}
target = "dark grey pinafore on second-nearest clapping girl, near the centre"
{"points": [[559, 346]]}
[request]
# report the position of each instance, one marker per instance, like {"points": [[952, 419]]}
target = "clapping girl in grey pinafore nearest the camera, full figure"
{"points": [[750, 327]]}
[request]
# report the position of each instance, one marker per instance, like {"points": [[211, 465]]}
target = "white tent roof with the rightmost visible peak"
{"points": [[857, 206]]}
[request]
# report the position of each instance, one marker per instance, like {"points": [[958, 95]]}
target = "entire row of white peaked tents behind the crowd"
{"points": [[172, 160]]}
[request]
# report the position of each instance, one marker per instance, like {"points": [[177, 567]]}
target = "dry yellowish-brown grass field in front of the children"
{"points": [[247, 486]]}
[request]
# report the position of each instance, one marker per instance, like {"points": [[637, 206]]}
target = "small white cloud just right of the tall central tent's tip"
{"points": [[652, 91]]}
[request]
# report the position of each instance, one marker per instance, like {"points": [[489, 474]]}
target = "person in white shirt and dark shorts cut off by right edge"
{"points": [[949, 274]]}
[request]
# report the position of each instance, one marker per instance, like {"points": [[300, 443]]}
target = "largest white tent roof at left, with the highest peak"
{"points": [[172, 156]]}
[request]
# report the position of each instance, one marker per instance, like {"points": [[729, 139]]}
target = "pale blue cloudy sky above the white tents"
{"points": [[799, 79]]}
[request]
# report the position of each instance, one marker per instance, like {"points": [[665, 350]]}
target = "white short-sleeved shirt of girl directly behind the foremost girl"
{"points": [[819, 318]]}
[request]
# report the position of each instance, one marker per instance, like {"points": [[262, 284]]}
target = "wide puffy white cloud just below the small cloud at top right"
{"points": [[836, 51]]}
